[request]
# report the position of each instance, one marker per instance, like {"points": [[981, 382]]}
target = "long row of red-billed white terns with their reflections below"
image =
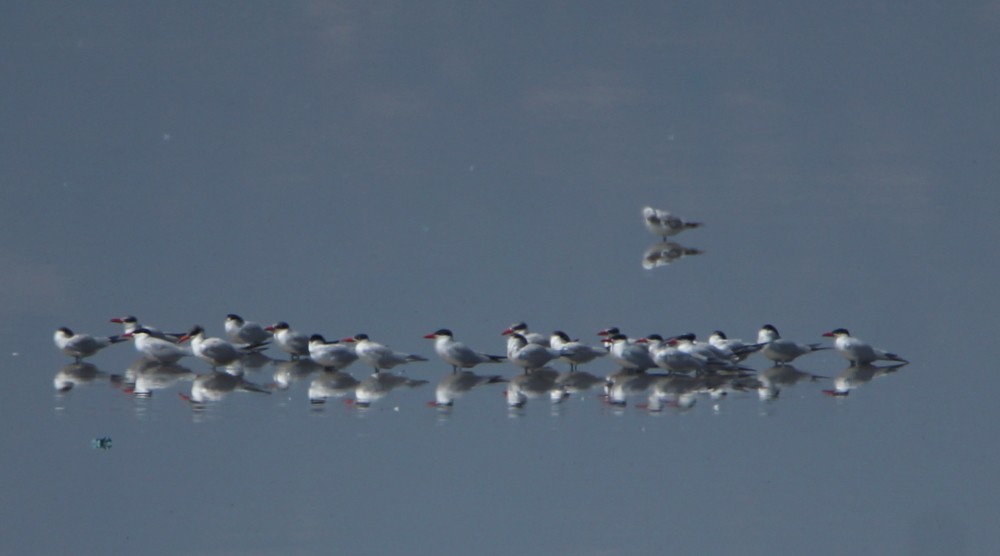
{"points": [[691, 366]]}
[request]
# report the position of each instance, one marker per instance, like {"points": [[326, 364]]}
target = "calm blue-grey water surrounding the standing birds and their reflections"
{"points": [[393, 168]]}
